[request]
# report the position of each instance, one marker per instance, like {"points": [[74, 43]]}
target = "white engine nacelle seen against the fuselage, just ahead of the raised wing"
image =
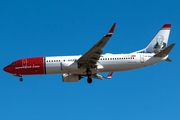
{"points": [[69, 65]]}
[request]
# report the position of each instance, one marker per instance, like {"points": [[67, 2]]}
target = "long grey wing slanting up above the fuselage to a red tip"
{"points": [[90, 58]]}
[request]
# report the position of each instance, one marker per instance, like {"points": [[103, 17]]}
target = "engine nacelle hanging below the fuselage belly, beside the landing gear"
{"points": [[70, 78]]}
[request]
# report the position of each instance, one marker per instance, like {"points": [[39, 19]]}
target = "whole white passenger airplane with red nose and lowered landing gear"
{"points": [[73, 68]]}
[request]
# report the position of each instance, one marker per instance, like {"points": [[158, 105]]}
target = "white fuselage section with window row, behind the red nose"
{"points": [[106, 63]]}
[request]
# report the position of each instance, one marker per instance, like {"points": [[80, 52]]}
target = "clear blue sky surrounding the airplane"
{"points": [[34, 28]]}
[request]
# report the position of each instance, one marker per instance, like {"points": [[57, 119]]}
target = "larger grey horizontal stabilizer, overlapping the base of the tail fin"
{"points": [[165, 52]]}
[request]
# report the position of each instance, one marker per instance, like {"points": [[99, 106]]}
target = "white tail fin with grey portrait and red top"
{"points": [[159, 42]]}
